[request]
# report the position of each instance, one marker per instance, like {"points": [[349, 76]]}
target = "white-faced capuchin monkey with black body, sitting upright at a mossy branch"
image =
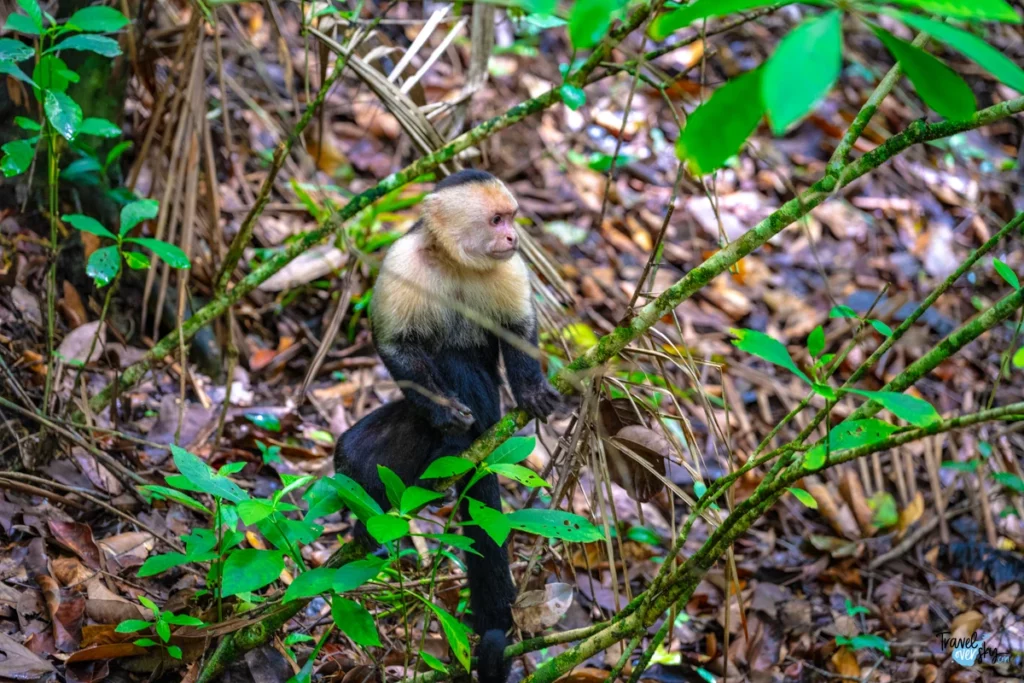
{"points": [[462, 250]]}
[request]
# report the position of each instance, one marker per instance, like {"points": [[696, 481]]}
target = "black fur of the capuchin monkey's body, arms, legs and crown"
{"points": [[451, 381]]}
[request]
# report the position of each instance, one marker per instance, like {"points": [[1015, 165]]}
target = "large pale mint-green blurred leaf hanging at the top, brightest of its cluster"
{"points": [[803, 70]]}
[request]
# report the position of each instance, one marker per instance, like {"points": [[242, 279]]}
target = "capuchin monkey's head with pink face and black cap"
{"points": [[471, 216]]}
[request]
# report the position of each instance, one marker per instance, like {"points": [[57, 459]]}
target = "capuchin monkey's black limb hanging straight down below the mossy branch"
{"points": [[491, 589]]}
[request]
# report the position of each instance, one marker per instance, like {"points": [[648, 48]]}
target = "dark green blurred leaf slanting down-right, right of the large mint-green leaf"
{"points": [[938, 86]]}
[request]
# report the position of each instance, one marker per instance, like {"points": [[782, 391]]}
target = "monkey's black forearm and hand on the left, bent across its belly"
{"points": [[423, 386]]}
